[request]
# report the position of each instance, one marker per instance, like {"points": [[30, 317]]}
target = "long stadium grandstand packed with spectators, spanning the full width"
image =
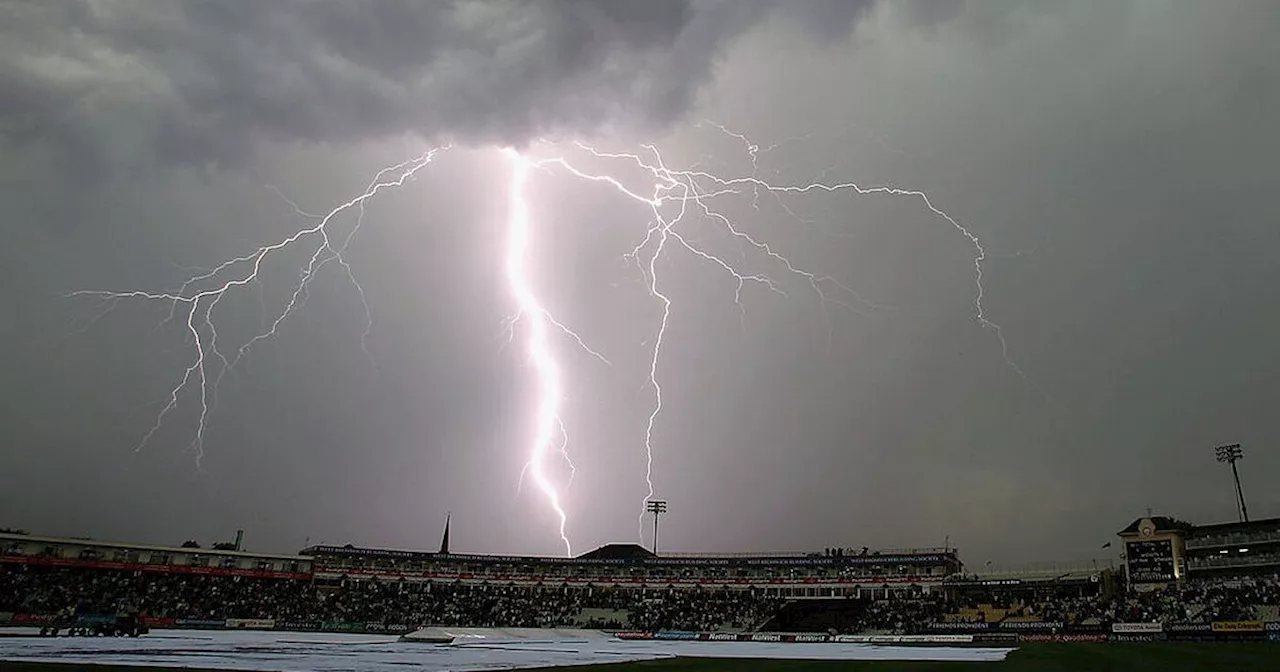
{"points": [[1176, 578]]}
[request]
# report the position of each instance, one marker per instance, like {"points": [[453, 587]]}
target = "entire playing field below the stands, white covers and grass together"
{"points": [[285, 652]]}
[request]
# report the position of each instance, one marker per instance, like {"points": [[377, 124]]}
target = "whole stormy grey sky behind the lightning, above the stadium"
{"points": [[1116, 161]]}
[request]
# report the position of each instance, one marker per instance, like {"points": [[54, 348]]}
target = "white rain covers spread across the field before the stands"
{"points": [[317, 652]]}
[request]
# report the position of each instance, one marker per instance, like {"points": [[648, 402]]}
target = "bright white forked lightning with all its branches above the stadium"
{"points": [[676, 196]]}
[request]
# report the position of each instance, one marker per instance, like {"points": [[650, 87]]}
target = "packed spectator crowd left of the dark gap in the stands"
{"points": [[171, 596]]}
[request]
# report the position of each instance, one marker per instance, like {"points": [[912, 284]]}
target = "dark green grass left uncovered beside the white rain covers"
{"points": [[1028, 659]]}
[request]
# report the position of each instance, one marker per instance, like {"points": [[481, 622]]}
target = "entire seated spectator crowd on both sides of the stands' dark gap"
{"points": [[39, 591]]}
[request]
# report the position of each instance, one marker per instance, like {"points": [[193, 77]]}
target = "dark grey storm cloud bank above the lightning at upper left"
{"points": [[200, 80]]}
